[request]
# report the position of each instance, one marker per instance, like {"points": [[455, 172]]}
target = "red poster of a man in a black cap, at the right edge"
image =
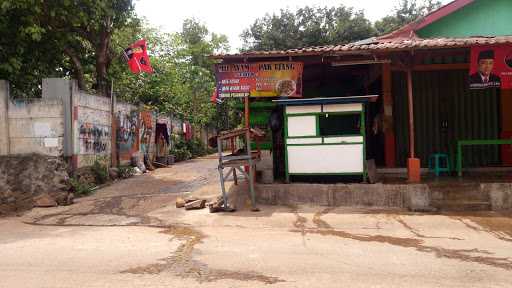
{"points": [[491, 67]]}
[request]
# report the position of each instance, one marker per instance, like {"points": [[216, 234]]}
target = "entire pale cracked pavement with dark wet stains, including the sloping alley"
{"points": [[130, 234]]}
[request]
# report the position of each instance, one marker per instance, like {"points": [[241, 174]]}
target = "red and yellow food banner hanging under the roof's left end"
{"points": [[266, 79]]}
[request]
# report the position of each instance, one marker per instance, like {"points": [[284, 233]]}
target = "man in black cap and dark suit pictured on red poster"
{"points": [[484, 77]]}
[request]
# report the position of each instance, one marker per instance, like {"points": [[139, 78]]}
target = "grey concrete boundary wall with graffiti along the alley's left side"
{"points": [[73, 123]]}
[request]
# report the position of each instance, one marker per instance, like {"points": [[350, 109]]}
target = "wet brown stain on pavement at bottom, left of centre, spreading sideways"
{"points": [[182, 264]]}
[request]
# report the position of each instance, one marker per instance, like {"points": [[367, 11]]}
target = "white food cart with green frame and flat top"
{"points": [[325, 136]]}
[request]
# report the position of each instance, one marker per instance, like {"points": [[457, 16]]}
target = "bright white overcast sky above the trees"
{"points": [[231, 17]]}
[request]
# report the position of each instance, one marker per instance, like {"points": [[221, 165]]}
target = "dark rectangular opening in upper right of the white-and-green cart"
{"points": [[339, 124]]}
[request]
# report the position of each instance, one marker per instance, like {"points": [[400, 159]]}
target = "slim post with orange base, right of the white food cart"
{"points": [[413, 163]]}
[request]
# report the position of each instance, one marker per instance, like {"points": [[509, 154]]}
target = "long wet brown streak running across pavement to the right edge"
{"points": [[464, 255]]}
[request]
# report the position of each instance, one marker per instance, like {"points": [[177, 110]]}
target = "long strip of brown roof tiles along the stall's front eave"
{"points": [[376, 45]]}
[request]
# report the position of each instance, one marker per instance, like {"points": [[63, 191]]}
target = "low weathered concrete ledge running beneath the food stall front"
{"points": [[415, 197]]}
